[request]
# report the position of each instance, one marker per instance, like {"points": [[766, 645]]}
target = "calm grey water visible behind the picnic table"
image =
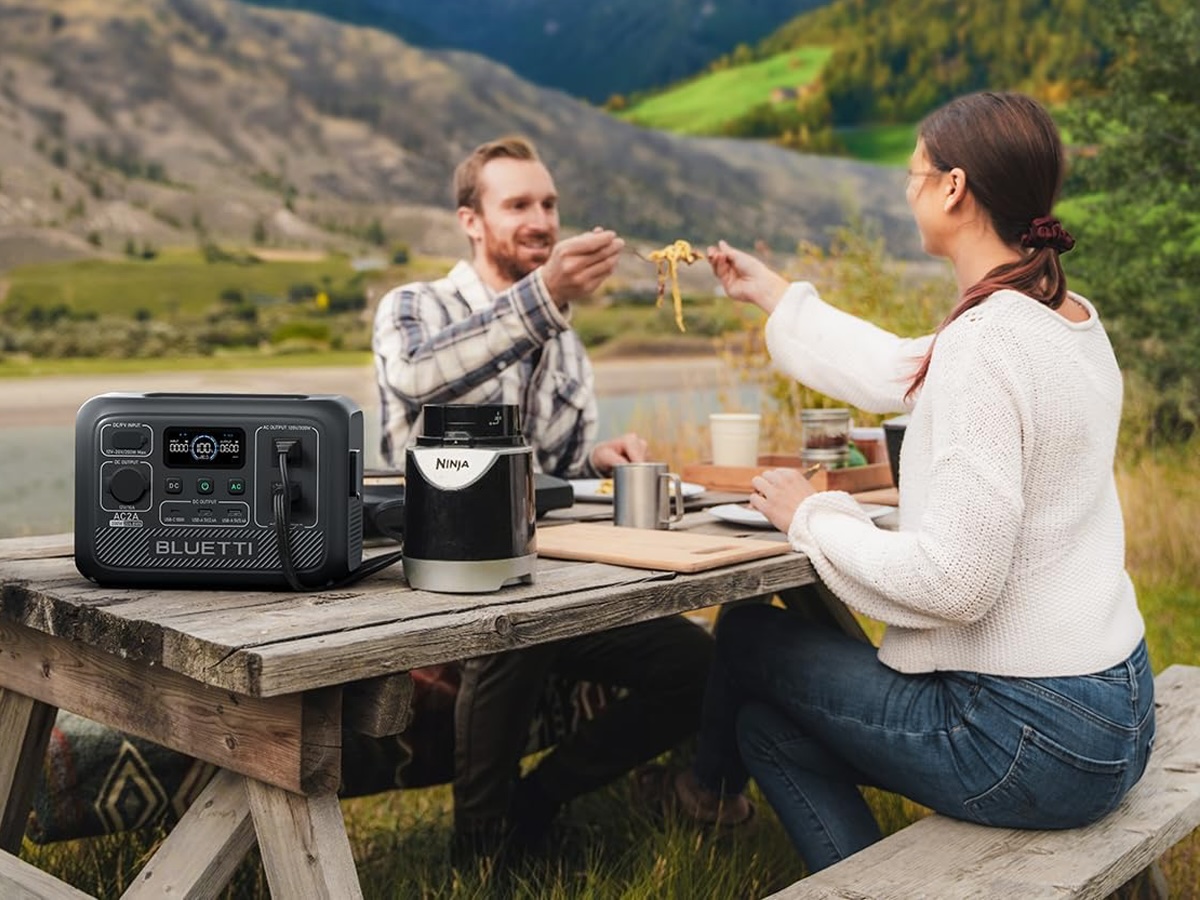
{"points": [[38, 463]]}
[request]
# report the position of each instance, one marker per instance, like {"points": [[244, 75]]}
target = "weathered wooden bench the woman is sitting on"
{"points": [[940, 857]]}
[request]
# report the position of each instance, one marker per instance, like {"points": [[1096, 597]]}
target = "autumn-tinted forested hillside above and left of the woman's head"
{"points": [[891, 63]]}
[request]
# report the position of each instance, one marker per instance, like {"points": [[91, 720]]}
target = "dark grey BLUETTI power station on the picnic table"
{"points": [[219, 490]]}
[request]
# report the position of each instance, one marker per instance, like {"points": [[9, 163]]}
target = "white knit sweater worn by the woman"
{"points": [[1011, 553]]}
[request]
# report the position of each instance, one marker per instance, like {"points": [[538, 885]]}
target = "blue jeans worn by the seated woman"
{"points": [[812, 713]]}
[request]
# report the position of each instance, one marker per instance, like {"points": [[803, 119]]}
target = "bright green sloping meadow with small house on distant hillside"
{"points": [[704, 105]]}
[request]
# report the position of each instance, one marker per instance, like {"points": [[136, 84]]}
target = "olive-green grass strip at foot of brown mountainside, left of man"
{"points": [[178, 283]]}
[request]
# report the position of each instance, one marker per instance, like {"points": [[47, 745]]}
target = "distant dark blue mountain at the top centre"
{"points": [[589, 50]]}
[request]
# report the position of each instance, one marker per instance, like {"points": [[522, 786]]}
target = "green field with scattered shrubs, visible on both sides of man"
{"points": [[105, 316]]}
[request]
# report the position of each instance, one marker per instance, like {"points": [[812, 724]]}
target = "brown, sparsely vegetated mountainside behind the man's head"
{"points": [[172, 121]]}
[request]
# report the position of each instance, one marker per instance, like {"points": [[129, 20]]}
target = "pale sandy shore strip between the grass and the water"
{"points": [[55, 400]]}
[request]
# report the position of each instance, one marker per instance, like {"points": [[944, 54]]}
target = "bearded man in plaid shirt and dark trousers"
{"points": [[497, 331]]}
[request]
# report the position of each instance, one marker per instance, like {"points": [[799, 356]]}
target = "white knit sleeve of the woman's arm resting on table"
{"points": [[953, 567]]}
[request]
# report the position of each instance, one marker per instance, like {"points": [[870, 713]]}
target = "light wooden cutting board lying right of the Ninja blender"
{"points": [[650, 549]]}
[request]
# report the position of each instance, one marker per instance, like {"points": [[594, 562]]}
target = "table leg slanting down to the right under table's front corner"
{"points": [[304, 845]]}
